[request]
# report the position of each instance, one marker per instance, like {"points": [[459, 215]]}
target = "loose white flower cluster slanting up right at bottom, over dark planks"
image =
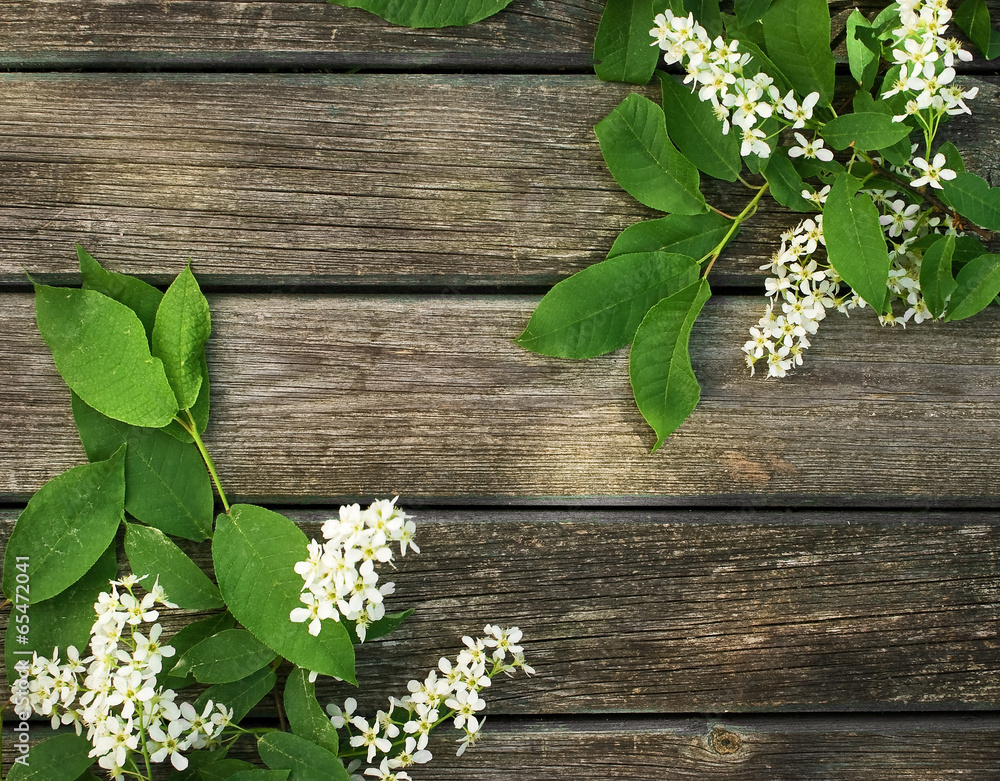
{"points": [[397, 738]]}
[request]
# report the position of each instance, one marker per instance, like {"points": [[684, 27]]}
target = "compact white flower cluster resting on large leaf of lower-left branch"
{"points": [[339, 577]]}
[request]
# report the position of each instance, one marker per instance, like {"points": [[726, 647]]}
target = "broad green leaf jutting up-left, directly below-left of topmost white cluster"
{"points": [[640, 156]]}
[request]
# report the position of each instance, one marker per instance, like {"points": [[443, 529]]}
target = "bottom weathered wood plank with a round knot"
{"points": [[799, 748]]}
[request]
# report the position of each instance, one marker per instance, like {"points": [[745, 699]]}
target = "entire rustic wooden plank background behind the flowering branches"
{"points": [[802, 583]]}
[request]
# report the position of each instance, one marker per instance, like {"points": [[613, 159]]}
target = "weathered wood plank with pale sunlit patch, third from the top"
{"points": [[322, 397]]}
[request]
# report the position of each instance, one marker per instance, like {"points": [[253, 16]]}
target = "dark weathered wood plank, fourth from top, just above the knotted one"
{"points": [[695, 612]]}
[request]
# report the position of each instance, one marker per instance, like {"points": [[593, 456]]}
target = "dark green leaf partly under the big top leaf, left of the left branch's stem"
{"points": [[166, 482]]}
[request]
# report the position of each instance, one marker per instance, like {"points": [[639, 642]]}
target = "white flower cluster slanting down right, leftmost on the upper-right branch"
{"points": [[716, 70]]}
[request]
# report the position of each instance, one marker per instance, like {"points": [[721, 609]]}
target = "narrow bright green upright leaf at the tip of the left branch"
{"points": [[183, 325]]}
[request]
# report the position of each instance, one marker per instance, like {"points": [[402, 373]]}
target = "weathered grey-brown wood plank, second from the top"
{"points": [[336, 180]]}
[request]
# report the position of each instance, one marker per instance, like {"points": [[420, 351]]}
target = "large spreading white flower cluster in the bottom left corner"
{"points": [[113, 692]]}
